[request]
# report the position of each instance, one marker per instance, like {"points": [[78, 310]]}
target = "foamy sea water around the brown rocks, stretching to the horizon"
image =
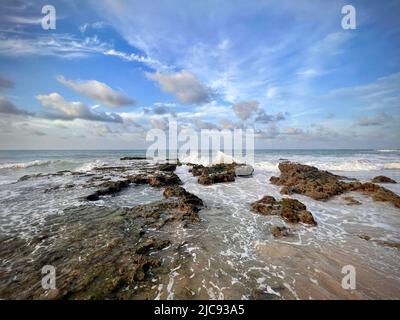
{"points": [[231, 250]]}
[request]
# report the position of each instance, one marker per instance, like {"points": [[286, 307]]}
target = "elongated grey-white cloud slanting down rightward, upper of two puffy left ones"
{"points": [[98, 91]]}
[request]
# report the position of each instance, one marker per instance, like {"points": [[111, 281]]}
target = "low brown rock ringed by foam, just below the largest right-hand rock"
{"points": [[291, 210]]}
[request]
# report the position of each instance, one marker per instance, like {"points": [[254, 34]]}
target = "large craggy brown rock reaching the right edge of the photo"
{"points": [[322, 185]]}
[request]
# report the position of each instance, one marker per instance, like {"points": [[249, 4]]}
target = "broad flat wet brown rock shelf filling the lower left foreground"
{"points": [[99, 252]]}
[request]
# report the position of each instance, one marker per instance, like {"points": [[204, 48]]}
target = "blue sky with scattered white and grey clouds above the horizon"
{"points": [[112, 70]]}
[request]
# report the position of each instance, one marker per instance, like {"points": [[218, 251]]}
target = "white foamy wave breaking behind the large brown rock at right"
{"points": [[351, 165]]}
